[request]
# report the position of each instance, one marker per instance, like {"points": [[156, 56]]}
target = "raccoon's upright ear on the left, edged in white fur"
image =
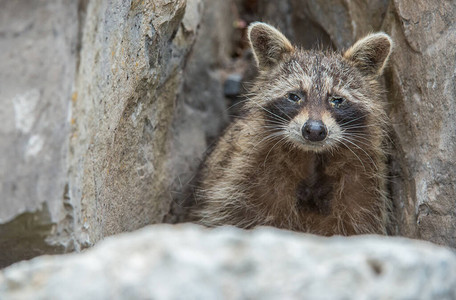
{"points": [[269, 45]]}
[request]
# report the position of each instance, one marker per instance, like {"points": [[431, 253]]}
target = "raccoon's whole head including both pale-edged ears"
{"points": [[318, 100]]}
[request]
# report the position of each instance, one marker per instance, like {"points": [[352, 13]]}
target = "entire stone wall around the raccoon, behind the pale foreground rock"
{"points": [[107, 108]]}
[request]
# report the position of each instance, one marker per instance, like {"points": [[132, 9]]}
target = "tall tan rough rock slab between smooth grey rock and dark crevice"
{"points": [[129, 76]]}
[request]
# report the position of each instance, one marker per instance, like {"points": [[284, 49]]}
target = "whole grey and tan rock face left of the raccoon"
{"points": [[98, 127]]}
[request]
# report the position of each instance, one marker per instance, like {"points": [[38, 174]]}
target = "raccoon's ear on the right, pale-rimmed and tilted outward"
{"points": [[371, 53]]}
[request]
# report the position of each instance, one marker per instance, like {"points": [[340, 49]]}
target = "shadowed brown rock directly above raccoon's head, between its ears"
{"points": [[336, 24]]}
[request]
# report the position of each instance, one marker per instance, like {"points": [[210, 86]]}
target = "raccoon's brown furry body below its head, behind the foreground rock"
{"points": [[286, 188]]}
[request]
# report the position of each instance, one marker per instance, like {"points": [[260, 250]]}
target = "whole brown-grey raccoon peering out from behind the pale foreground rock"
{"points": [[306, 154]]}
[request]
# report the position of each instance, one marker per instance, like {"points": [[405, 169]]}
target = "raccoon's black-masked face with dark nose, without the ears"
{"points": [[316, 101]]}
